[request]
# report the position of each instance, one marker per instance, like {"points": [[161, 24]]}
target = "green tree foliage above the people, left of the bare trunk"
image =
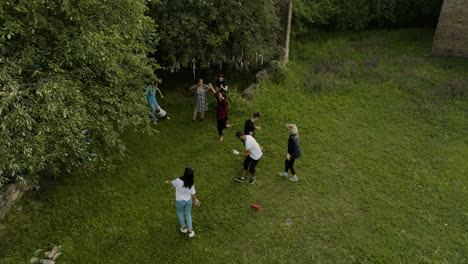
{"points": [[213, 32]]}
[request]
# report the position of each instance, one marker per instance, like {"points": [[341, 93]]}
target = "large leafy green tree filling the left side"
{"points": [[69, 66]]}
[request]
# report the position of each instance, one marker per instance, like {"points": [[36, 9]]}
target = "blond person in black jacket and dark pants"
{"points": [[294, 152]]}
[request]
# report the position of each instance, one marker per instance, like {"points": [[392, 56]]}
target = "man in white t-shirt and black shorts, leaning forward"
{"points": [[253, 153]]}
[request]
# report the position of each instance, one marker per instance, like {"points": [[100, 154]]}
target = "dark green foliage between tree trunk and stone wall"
{"points": [[365, 14]]}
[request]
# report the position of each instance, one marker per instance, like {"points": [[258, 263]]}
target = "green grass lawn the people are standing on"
{"points": [[383, 176]]}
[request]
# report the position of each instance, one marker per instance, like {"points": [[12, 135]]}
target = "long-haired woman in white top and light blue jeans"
{"points": [[185, 193]]}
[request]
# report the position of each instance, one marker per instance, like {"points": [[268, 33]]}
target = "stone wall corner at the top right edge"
{"points": [[452, 30]]}
